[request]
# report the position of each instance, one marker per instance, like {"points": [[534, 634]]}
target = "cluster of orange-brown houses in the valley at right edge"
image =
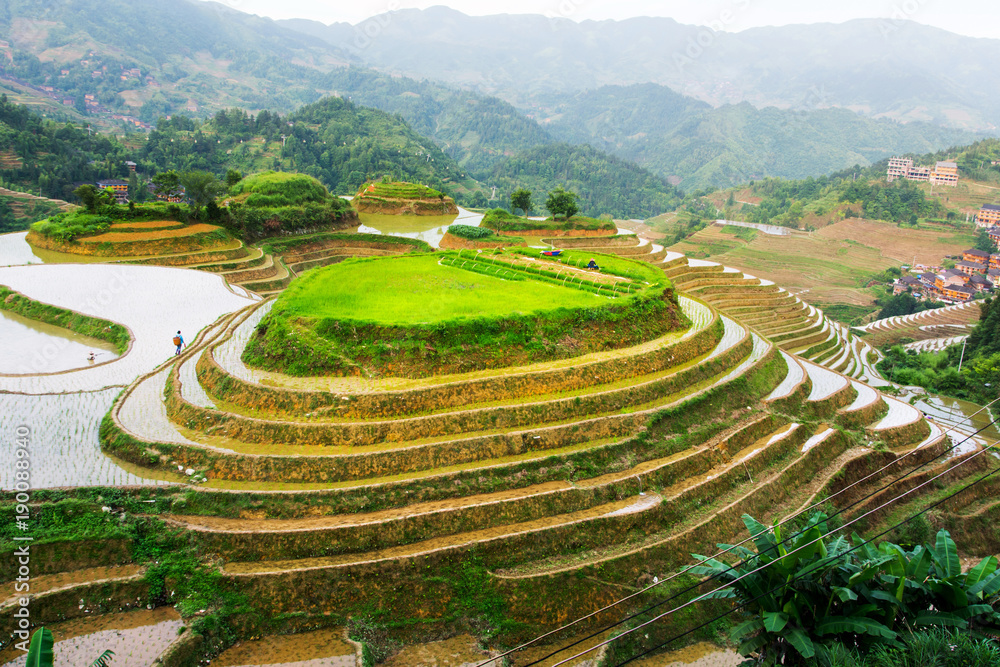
{"points": [[977, 272]]}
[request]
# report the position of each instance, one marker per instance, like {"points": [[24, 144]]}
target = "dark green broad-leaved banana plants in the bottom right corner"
{"points": [[805, 594]]}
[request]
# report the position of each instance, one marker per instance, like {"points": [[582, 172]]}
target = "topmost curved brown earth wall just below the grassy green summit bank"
{"points": [[498, 388]]}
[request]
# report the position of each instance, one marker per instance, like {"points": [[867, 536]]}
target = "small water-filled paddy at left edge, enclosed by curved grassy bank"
{"points": [[30, 346]]}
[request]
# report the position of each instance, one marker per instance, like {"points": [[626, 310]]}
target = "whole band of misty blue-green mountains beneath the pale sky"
{"points": [[504, 95]]}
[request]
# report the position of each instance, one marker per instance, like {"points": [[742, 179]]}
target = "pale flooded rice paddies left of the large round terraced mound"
{"points": [[62, 408]]}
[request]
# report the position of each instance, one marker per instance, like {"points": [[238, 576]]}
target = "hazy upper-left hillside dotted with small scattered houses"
{"points": [[149, 58]]}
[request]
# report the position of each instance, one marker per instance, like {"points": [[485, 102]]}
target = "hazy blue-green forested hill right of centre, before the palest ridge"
{"points": [[698, 146]]}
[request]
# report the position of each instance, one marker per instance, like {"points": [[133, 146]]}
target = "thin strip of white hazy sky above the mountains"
{"points": [[976, 18]]}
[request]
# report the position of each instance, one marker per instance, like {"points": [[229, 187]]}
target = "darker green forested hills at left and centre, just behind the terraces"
{"points": [[335, 140]]}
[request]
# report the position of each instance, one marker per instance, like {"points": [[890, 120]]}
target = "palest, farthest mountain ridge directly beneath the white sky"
{"points": [[881, 67]]}
